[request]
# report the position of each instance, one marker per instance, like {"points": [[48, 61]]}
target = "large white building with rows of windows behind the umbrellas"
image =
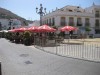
{"points": [[75, 16]]}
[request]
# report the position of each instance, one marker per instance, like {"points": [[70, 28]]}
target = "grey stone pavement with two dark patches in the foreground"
{"points": [[18, 59]]}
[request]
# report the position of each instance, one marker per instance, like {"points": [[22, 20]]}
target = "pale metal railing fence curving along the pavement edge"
{"points": [[79, 49]]}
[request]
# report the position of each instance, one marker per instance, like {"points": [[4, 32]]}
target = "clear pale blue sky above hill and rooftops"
{"points": [[27, 8]]}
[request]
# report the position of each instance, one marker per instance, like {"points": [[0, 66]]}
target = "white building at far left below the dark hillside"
{"points": [[6, 24]]}
